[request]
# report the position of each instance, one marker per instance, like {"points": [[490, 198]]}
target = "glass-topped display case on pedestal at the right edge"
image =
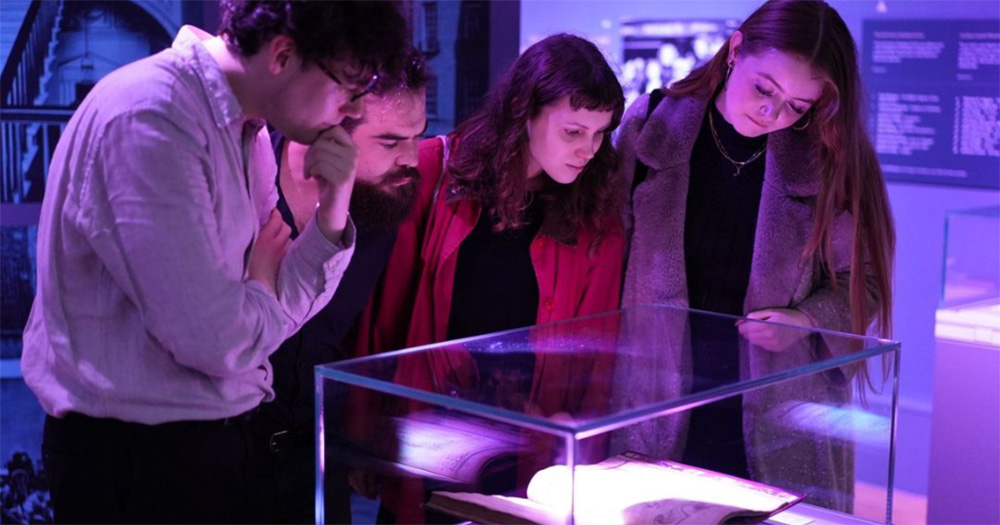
{"points": [[964, 475]]}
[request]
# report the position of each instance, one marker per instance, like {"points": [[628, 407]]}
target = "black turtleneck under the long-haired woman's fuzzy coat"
{"points": [[719, 231]]}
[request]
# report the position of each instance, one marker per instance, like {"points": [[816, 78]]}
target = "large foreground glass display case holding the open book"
{"points": [[648, 415]]}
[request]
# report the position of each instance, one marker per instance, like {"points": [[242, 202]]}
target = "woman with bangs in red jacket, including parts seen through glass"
{"points": [[517, 224]]}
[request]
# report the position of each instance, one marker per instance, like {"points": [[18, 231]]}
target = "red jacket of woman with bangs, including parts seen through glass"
{"points": [[412, 305]]}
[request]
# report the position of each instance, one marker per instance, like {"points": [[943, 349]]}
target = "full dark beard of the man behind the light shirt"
{"points": [[383, 206]]}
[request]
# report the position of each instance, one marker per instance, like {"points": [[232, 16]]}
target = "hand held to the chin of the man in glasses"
{"points": [[333, 161]]}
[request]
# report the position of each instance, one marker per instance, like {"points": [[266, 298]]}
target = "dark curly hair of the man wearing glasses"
{"points": [[370, 35]]}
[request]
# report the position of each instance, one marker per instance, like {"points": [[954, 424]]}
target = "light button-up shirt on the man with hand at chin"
{"points": [[156, 193]]}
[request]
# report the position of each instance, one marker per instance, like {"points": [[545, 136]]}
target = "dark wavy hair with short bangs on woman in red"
{"points": [[490, 159]]}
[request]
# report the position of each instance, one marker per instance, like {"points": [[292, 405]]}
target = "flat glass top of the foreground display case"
{"points": [[618, 367]]}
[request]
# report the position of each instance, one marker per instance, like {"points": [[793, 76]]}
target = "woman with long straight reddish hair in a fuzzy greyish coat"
{"points": [[756, 192]]}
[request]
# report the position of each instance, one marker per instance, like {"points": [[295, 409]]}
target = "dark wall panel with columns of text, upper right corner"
{"points": [[934, 90]]}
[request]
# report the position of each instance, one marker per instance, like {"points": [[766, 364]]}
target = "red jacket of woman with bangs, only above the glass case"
{"points": [[412, 304]]}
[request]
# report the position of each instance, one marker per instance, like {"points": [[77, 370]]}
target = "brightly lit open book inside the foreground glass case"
{"points": [[625, 489]]}
